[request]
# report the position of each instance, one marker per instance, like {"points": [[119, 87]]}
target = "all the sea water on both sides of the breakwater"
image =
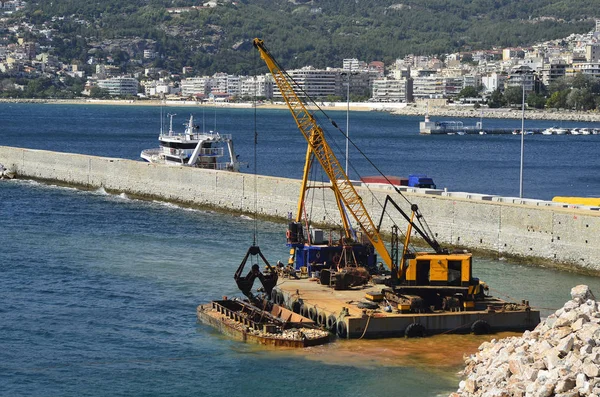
{"points": [[98, 291]]}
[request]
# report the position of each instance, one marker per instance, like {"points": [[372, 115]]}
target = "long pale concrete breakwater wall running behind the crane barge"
{"points": [[522, 228]]}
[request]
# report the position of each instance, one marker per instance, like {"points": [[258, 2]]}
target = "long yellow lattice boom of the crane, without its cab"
{"points": [[319, 147]]}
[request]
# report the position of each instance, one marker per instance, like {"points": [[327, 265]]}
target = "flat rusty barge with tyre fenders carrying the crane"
{"points": [[350, 315]]}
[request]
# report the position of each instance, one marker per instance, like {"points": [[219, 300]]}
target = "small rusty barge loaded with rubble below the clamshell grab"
{"points": [[277, 327]]}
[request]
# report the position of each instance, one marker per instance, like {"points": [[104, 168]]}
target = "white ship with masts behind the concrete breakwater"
{"points": [[193, 149]]}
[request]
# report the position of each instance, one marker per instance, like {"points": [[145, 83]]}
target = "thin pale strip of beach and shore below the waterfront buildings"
{"points": [[397, 109]]}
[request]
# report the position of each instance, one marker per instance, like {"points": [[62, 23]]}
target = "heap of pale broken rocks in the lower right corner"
{"points": [[560, 357]]}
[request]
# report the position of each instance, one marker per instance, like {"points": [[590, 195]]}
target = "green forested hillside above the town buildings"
{"points": [[319, 33]]}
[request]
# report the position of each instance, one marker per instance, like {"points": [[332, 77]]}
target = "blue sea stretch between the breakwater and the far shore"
{"points": [[553, 165]]}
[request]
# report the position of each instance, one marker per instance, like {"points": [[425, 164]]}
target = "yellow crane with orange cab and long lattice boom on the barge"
{"points": [[429, 278]]}
